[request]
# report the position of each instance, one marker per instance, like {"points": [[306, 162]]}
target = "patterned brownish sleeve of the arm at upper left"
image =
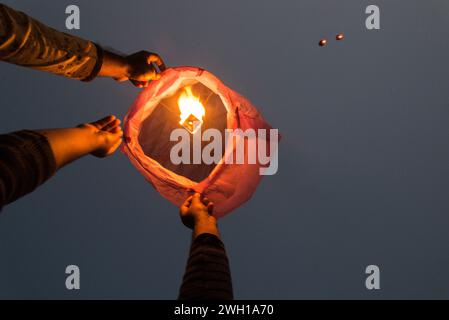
{"points": [[26, 42]]}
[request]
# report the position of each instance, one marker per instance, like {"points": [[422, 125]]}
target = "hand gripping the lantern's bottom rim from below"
{"points": [[197, 212]]}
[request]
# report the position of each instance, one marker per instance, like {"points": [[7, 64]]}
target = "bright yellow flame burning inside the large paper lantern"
{"points": [[190, 105]]}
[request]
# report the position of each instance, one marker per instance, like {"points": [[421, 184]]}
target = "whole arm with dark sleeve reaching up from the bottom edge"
{"points": [[207, 275]]}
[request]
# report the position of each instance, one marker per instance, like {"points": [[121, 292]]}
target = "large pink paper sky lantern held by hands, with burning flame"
{"points": [[187, 132]]}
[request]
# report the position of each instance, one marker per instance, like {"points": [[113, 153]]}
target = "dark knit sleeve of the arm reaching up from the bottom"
{"points": [[207, 276]]}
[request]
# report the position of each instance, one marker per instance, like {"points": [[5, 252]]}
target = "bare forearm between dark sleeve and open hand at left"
{"points": [[69, 144]]}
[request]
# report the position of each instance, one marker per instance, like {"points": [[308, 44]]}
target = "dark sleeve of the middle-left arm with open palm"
{"points": [[26, 161]]}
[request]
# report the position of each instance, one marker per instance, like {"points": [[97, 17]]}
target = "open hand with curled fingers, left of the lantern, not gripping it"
{"points": [[106, 135]]}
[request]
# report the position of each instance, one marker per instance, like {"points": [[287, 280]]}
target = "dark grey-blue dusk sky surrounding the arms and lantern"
{"points": [[363, 171]]}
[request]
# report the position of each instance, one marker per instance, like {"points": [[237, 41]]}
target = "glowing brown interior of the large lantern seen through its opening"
{"points": [[192, 107]]}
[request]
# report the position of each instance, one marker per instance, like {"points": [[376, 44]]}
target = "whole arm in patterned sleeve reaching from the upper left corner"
{"points": [[27, 42]]}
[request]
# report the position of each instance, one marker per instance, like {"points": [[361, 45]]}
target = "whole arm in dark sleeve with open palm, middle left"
{"points": [[29, 158]]}
